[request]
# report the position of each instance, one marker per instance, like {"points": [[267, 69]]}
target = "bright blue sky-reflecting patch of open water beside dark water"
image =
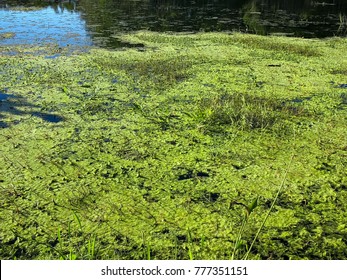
{"points": [[43, 25]]}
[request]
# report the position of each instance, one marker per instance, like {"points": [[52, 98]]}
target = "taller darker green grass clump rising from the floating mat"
{"points": [[245, 111]]}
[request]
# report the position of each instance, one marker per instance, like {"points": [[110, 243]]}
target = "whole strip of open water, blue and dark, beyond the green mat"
{"points": [[99, 22]]}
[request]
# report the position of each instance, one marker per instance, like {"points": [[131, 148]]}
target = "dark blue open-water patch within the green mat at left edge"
{"points": [[13, 105]]}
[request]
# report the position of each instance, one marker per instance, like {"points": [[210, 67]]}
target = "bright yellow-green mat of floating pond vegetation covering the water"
{"points": [[175, 150]]}
